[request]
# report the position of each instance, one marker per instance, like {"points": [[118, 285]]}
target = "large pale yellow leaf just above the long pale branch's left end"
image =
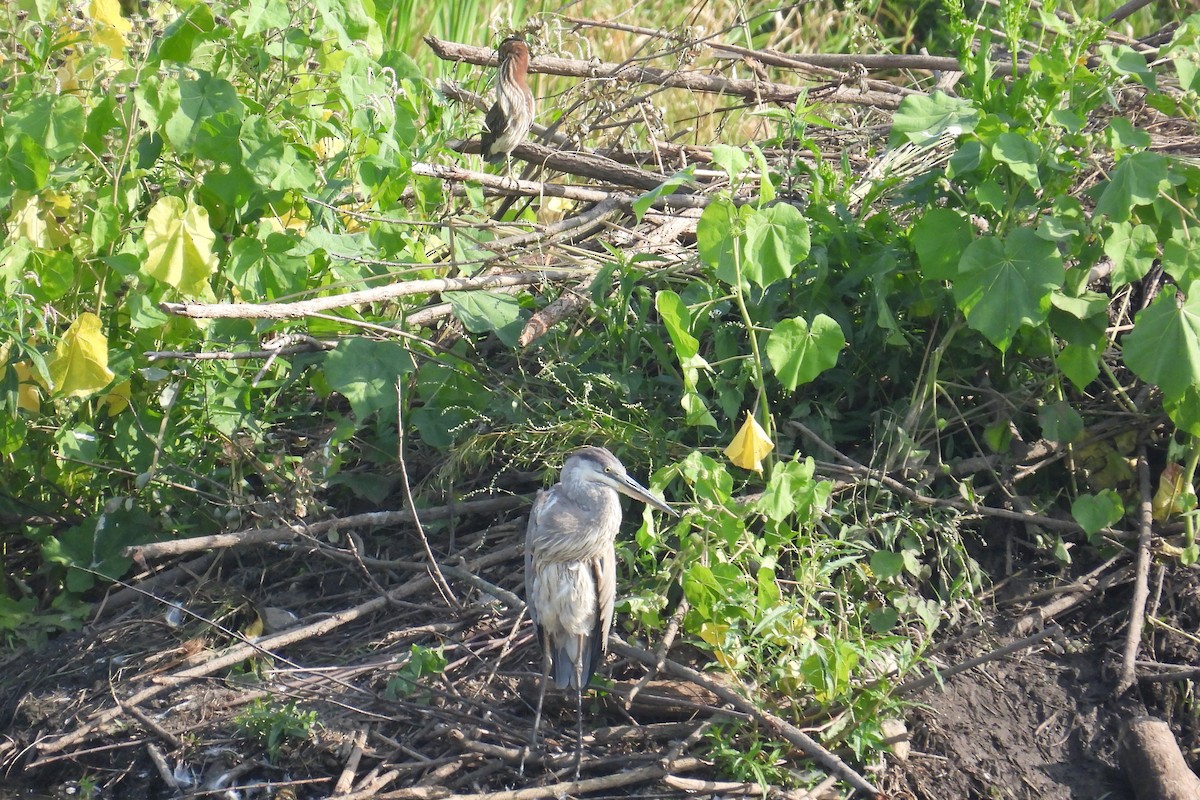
{"points": [[179, 245]]}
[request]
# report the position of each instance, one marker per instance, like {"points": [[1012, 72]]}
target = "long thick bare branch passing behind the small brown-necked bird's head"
{"points": [[760, 92]]}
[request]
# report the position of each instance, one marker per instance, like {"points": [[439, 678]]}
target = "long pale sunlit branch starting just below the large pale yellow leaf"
{"points": [[379, 294]]}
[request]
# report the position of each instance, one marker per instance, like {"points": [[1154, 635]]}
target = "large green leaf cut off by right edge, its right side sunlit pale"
{"points": [[1165, 345]]}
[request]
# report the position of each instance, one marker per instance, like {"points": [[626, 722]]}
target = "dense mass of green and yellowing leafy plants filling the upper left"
{"points": [[140, 169]]}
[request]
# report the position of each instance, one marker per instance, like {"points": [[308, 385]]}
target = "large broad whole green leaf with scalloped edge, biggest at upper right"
{"points": [[1007, 284]]}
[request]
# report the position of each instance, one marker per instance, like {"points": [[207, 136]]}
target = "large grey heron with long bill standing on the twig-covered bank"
{"points": [[572, 570]]}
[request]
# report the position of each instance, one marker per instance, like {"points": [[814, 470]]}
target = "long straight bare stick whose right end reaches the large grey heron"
{"points": [[283, 534]]}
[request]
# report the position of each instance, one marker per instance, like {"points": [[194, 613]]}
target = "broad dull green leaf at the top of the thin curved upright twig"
{"points": [[367, 372]]}
